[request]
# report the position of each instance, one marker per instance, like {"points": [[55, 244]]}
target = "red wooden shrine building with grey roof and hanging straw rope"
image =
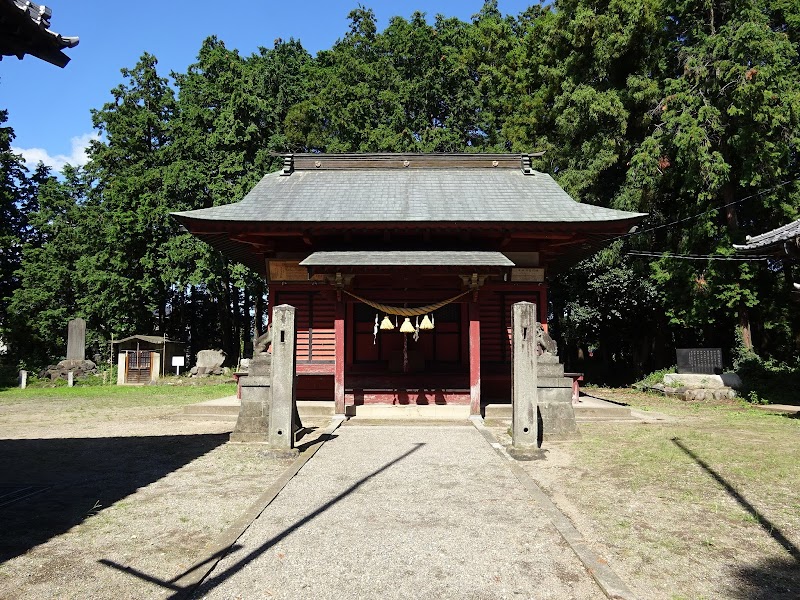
{"points": [[403, 267]]}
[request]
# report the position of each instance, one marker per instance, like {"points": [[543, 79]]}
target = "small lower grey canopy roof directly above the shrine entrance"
{"points": [[407, 259]]}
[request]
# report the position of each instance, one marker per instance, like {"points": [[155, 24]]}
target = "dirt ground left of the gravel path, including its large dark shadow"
{"points": [[117, 491]]}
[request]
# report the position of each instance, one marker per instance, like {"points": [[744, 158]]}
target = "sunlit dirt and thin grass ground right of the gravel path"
{"points": [[705, 506]]}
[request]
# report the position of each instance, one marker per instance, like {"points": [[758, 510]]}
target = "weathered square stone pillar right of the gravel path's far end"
{"points": [[524, 384]]}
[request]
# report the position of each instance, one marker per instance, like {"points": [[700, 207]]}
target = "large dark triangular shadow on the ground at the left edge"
{"points": [[71, 479]]}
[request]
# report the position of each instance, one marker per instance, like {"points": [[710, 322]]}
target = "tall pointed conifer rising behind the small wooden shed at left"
{"points": [[131, 202]]}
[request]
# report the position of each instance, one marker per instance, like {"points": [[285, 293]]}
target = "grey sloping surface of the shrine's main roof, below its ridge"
{"points": [[422, 195]]}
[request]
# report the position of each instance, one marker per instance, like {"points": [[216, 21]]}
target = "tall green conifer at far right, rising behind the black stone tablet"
{"points": [[723, 143]]}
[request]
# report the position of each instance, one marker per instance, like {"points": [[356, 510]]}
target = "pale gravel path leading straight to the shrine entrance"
{"points": [[402, 512]]}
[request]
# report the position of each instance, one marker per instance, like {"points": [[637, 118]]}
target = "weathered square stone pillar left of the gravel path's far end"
{"points": [[282, 422]]}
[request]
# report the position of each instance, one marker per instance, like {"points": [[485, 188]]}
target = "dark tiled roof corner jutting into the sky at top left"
{"points": [[24, 29]]}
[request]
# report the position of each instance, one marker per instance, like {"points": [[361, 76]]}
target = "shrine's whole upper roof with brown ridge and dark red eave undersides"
{"points": [[315, 193]]}
